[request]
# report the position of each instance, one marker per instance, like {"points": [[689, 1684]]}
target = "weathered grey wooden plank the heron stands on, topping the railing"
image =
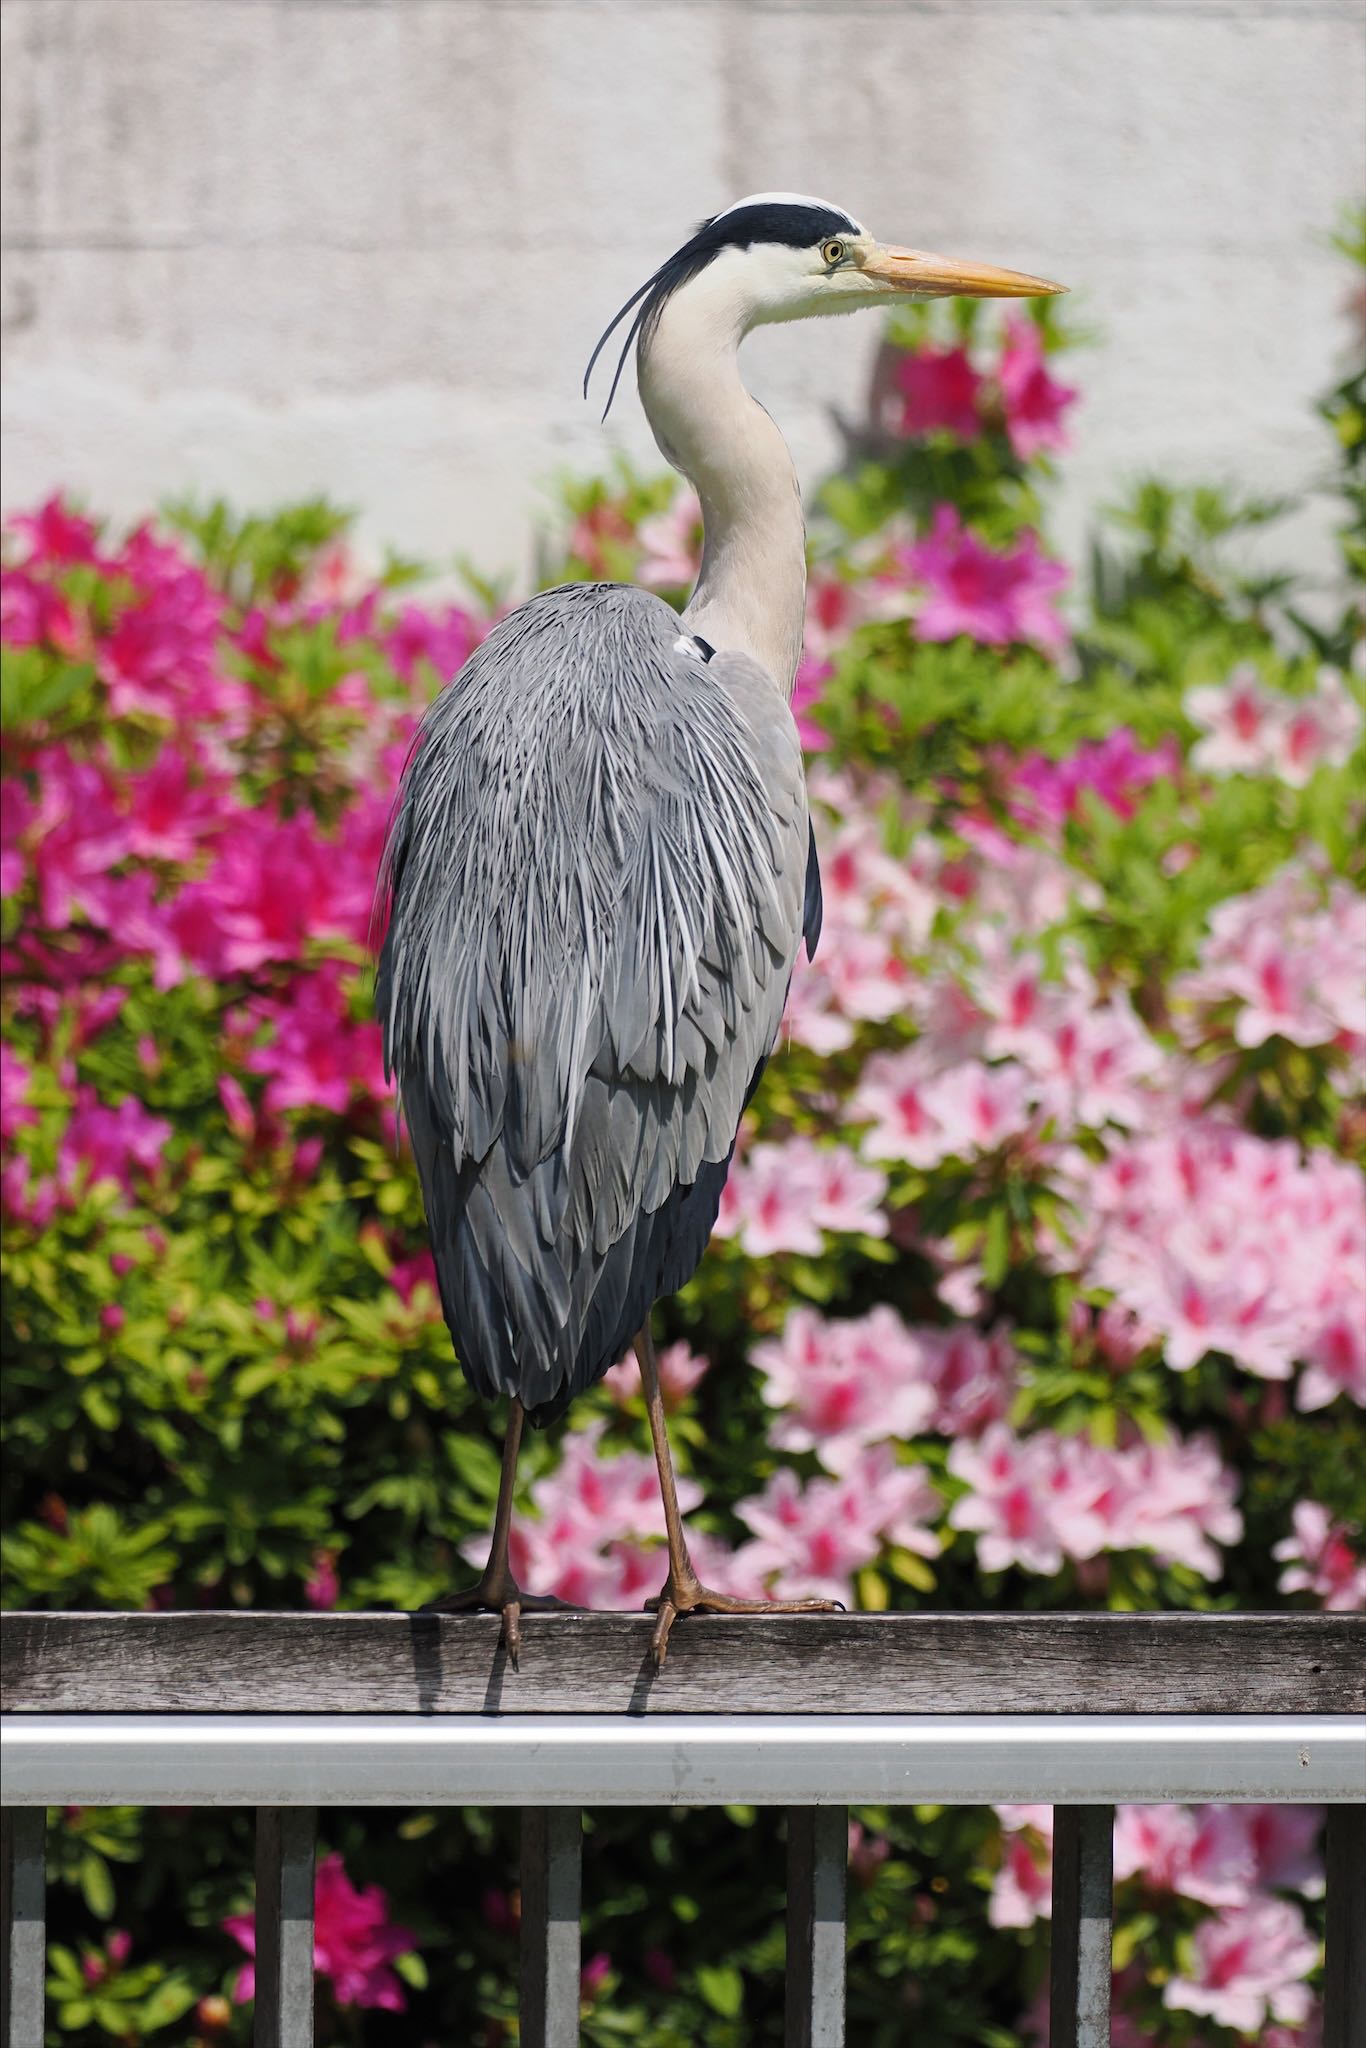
{"points": [[601, 1664]]}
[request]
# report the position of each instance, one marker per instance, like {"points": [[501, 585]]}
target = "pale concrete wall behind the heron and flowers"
{"points": [[364, 247]]}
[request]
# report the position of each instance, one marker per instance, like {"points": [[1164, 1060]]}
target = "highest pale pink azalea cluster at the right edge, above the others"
{"points": [[1254, 730]]}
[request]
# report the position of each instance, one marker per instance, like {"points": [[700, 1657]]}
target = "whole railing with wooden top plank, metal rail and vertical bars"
{"points": [[290, 1713]]}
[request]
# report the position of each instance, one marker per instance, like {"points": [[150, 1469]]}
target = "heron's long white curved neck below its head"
{"points": [[753, 587]]}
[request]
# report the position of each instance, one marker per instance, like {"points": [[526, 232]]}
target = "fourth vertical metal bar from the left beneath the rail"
{"points": [[818, 1852]]}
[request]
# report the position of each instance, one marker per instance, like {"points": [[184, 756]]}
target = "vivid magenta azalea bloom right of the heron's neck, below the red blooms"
{"points": [[992, 597]]}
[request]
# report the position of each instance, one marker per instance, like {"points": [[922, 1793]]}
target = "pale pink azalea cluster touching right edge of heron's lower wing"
{"points": [[787, 1197]]}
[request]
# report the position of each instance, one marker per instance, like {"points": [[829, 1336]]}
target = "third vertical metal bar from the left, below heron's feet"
{"points": [[552, 1893]]}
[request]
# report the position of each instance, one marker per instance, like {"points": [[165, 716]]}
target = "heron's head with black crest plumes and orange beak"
{"points": [[783, 257]]}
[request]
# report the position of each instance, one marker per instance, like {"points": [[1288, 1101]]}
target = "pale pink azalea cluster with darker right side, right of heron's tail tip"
{"points": [[851, 1383]]}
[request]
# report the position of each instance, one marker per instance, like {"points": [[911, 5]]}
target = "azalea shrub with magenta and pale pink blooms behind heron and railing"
{"points": [[1039, 1281]]}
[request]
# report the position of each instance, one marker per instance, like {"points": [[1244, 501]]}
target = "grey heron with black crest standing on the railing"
{"points": [[601, 871]]}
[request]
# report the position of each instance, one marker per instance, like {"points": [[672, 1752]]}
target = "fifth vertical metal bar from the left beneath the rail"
{"points": [[1082, 1926]]}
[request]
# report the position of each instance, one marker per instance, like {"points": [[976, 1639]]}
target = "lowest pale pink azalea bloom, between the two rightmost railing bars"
{"points": [[1250, 1965]]}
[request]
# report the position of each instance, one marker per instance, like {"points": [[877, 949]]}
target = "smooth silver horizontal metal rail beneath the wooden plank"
{"points": [[677, 1760]]}
